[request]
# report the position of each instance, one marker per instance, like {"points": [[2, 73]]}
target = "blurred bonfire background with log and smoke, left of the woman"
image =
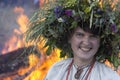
{"points": [[14, 65]]}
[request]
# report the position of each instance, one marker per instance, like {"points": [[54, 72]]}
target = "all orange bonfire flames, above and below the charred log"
{"points": [[38, 66]]}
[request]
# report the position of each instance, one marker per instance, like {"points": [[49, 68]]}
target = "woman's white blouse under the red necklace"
{"points": [[100, 71]]}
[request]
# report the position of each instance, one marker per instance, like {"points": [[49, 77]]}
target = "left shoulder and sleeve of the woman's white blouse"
{"points": [[58, 67]]}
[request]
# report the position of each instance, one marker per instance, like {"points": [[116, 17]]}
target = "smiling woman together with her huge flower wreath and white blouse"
{"points": [[86, 32]]}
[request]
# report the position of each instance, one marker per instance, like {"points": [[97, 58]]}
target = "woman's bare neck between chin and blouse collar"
{"points": [[81, 63]]}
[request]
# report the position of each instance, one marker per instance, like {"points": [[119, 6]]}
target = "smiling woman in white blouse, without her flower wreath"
{"points": [[83, 65]]}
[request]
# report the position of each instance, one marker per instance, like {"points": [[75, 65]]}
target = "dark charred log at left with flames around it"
{"points": [[12, 61]]}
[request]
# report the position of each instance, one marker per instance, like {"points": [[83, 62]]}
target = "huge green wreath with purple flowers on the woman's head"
{"points": [[56, 18]]}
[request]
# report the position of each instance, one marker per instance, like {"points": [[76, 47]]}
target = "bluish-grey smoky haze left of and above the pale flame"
{"points": [[8, 17]]}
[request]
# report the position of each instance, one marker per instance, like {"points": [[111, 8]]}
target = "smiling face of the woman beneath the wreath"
{"points": [[84, 44]]}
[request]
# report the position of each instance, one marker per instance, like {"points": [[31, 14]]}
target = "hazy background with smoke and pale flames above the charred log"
{"points": [[14, 15]]}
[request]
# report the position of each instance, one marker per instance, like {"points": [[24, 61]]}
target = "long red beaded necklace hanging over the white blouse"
{"points": [[89, 69]]}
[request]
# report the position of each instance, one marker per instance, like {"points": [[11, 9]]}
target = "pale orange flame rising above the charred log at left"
{"points": [[15, 41]]}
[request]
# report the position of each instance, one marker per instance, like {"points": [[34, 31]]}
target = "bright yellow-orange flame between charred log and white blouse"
{"points": [[43, 63]]}
